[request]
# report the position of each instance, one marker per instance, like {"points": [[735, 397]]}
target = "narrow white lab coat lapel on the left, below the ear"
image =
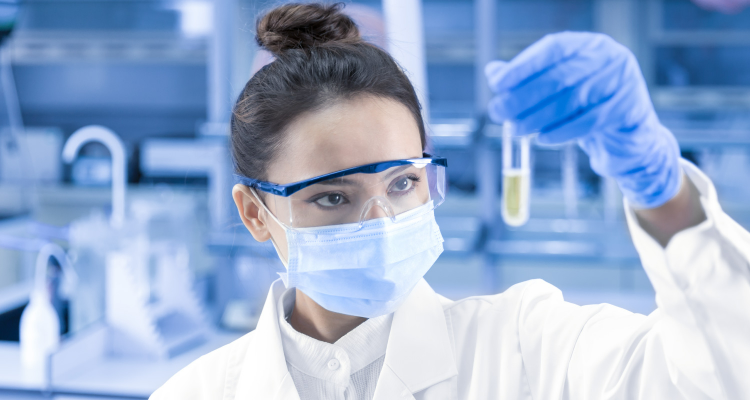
{"points": [[264, 373]]}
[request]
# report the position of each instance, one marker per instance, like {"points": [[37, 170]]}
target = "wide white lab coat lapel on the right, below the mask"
{"points": [[419, 352]]}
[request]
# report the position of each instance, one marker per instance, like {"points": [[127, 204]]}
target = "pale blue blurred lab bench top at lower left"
{"points": [[105, 377]]}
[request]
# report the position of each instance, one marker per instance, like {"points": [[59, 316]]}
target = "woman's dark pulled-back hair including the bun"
{"points": [[320, 59]]}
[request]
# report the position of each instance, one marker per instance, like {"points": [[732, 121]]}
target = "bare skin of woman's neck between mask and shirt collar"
{"points": [[315, 321]]}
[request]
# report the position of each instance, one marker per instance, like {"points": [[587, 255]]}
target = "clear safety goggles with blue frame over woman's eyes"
{"points": [[350, 197]]}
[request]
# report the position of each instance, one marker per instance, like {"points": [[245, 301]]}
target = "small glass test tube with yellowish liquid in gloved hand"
{"points": [[516, 176]]}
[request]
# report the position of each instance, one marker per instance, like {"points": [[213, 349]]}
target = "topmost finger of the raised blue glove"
{"points": [[538, 58]]}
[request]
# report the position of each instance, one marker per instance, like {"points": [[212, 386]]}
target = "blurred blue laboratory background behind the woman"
{"points": [[122, 258]]}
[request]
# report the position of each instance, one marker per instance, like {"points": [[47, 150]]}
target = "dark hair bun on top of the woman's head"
{"points": [[300, 26]]}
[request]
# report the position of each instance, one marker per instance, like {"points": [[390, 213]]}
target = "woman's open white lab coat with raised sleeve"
{"points": [[528, 343]]}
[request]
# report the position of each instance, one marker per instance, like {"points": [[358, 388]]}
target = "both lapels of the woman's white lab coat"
{"points": [[419, 352]]}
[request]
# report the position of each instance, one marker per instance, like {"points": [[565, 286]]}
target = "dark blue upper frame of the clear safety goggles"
{"points": [[374, 168]]}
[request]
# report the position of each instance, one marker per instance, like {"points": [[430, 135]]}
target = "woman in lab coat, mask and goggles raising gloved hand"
{"points": [[329, 143]]}
